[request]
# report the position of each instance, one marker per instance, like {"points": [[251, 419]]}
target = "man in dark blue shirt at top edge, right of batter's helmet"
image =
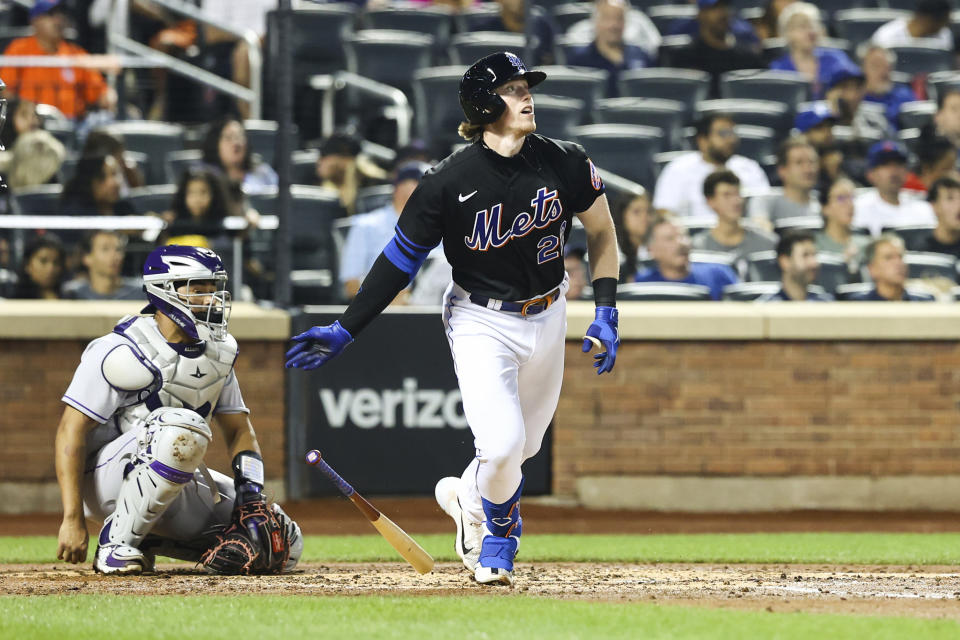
{"points": [[608, 51]]}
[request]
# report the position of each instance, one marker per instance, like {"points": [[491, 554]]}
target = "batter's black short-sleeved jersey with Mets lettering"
{"points": [[503, 221]]}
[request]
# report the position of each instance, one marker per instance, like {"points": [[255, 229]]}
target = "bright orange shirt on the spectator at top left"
{"points": [[68, 89]]}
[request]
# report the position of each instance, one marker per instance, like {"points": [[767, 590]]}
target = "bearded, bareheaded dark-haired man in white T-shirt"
{"points": [[680, 185]]}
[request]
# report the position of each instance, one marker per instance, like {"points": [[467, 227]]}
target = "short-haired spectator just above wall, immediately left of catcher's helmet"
{"points": [[101, 255]]}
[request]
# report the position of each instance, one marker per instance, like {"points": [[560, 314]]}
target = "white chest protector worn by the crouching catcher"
{"points": [[192, 381]]}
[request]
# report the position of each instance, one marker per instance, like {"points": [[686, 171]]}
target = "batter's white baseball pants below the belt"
{"points": [[510, 369]]}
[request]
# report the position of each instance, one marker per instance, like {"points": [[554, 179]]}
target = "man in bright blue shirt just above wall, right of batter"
{"points": [[669, 245]]}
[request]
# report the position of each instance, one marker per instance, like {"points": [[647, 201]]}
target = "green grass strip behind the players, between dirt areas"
{"points": [[803, 548]]}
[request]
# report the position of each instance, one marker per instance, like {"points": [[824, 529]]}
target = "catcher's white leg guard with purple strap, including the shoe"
{"points": [[171, 447]]}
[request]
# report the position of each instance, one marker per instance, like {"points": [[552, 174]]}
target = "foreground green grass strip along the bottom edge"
{"points": [[220, 617]]}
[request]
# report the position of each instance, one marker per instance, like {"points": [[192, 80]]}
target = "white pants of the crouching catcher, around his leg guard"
{"points": [[190, 514]]}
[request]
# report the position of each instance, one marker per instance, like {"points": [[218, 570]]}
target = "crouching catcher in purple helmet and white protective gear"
{"points": [[131, 441]]}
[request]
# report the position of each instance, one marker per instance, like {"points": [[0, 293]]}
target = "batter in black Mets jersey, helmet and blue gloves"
{"points": [[503, 207]]}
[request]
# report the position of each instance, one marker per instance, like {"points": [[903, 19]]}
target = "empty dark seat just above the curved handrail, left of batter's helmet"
{"points": [[388, 56]]}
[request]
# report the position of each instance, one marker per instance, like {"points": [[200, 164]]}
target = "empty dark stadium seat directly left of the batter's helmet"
{"points": [[436, 107]]}
